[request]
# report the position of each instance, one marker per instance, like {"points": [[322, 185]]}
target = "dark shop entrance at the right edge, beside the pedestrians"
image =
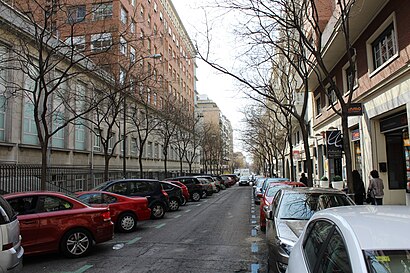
{"points": [[396, 133]]}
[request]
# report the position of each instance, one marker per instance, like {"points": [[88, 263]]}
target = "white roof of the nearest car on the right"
{"points": [[375, 227]]}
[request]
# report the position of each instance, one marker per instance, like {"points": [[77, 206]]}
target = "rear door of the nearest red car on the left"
{"points": [[55, 215]]}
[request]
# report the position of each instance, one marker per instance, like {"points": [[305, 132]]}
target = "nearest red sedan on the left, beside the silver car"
{"points": [[52, 222]]}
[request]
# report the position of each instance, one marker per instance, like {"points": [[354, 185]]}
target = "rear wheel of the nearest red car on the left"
{"points": [[76, 243]]}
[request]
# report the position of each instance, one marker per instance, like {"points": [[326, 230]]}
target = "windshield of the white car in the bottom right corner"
{"points": [[387, 261]]}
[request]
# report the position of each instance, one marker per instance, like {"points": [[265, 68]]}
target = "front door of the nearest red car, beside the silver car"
{"points": [[29, 223]]}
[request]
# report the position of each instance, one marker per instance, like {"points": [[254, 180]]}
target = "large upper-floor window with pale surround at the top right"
{"points": [[384, 47]]}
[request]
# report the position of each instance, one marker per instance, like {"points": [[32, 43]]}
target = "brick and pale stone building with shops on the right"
{"points": [[378, 130]]}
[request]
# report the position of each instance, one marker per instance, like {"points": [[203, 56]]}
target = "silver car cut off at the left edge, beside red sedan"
{"points": [[11, 252]]}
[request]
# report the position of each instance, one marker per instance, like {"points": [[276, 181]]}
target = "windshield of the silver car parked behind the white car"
{"points": [[301, 206]]}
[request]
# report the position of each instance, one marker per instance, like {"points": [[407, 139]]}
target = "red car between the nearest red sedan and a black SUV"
{"points": [[125, 211]]}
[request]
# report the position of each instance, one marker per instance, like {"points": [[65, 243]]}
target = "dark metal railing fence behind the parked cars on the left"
{"points": [[18, 177]]}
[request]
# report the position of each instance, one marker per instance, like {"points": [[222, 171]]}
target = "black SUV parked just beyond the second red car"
{"points": [[158, 200]]}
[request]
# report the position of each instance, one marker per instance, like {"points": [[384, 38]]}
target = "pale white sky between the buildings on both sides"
{"points": [[220, 88]]}
